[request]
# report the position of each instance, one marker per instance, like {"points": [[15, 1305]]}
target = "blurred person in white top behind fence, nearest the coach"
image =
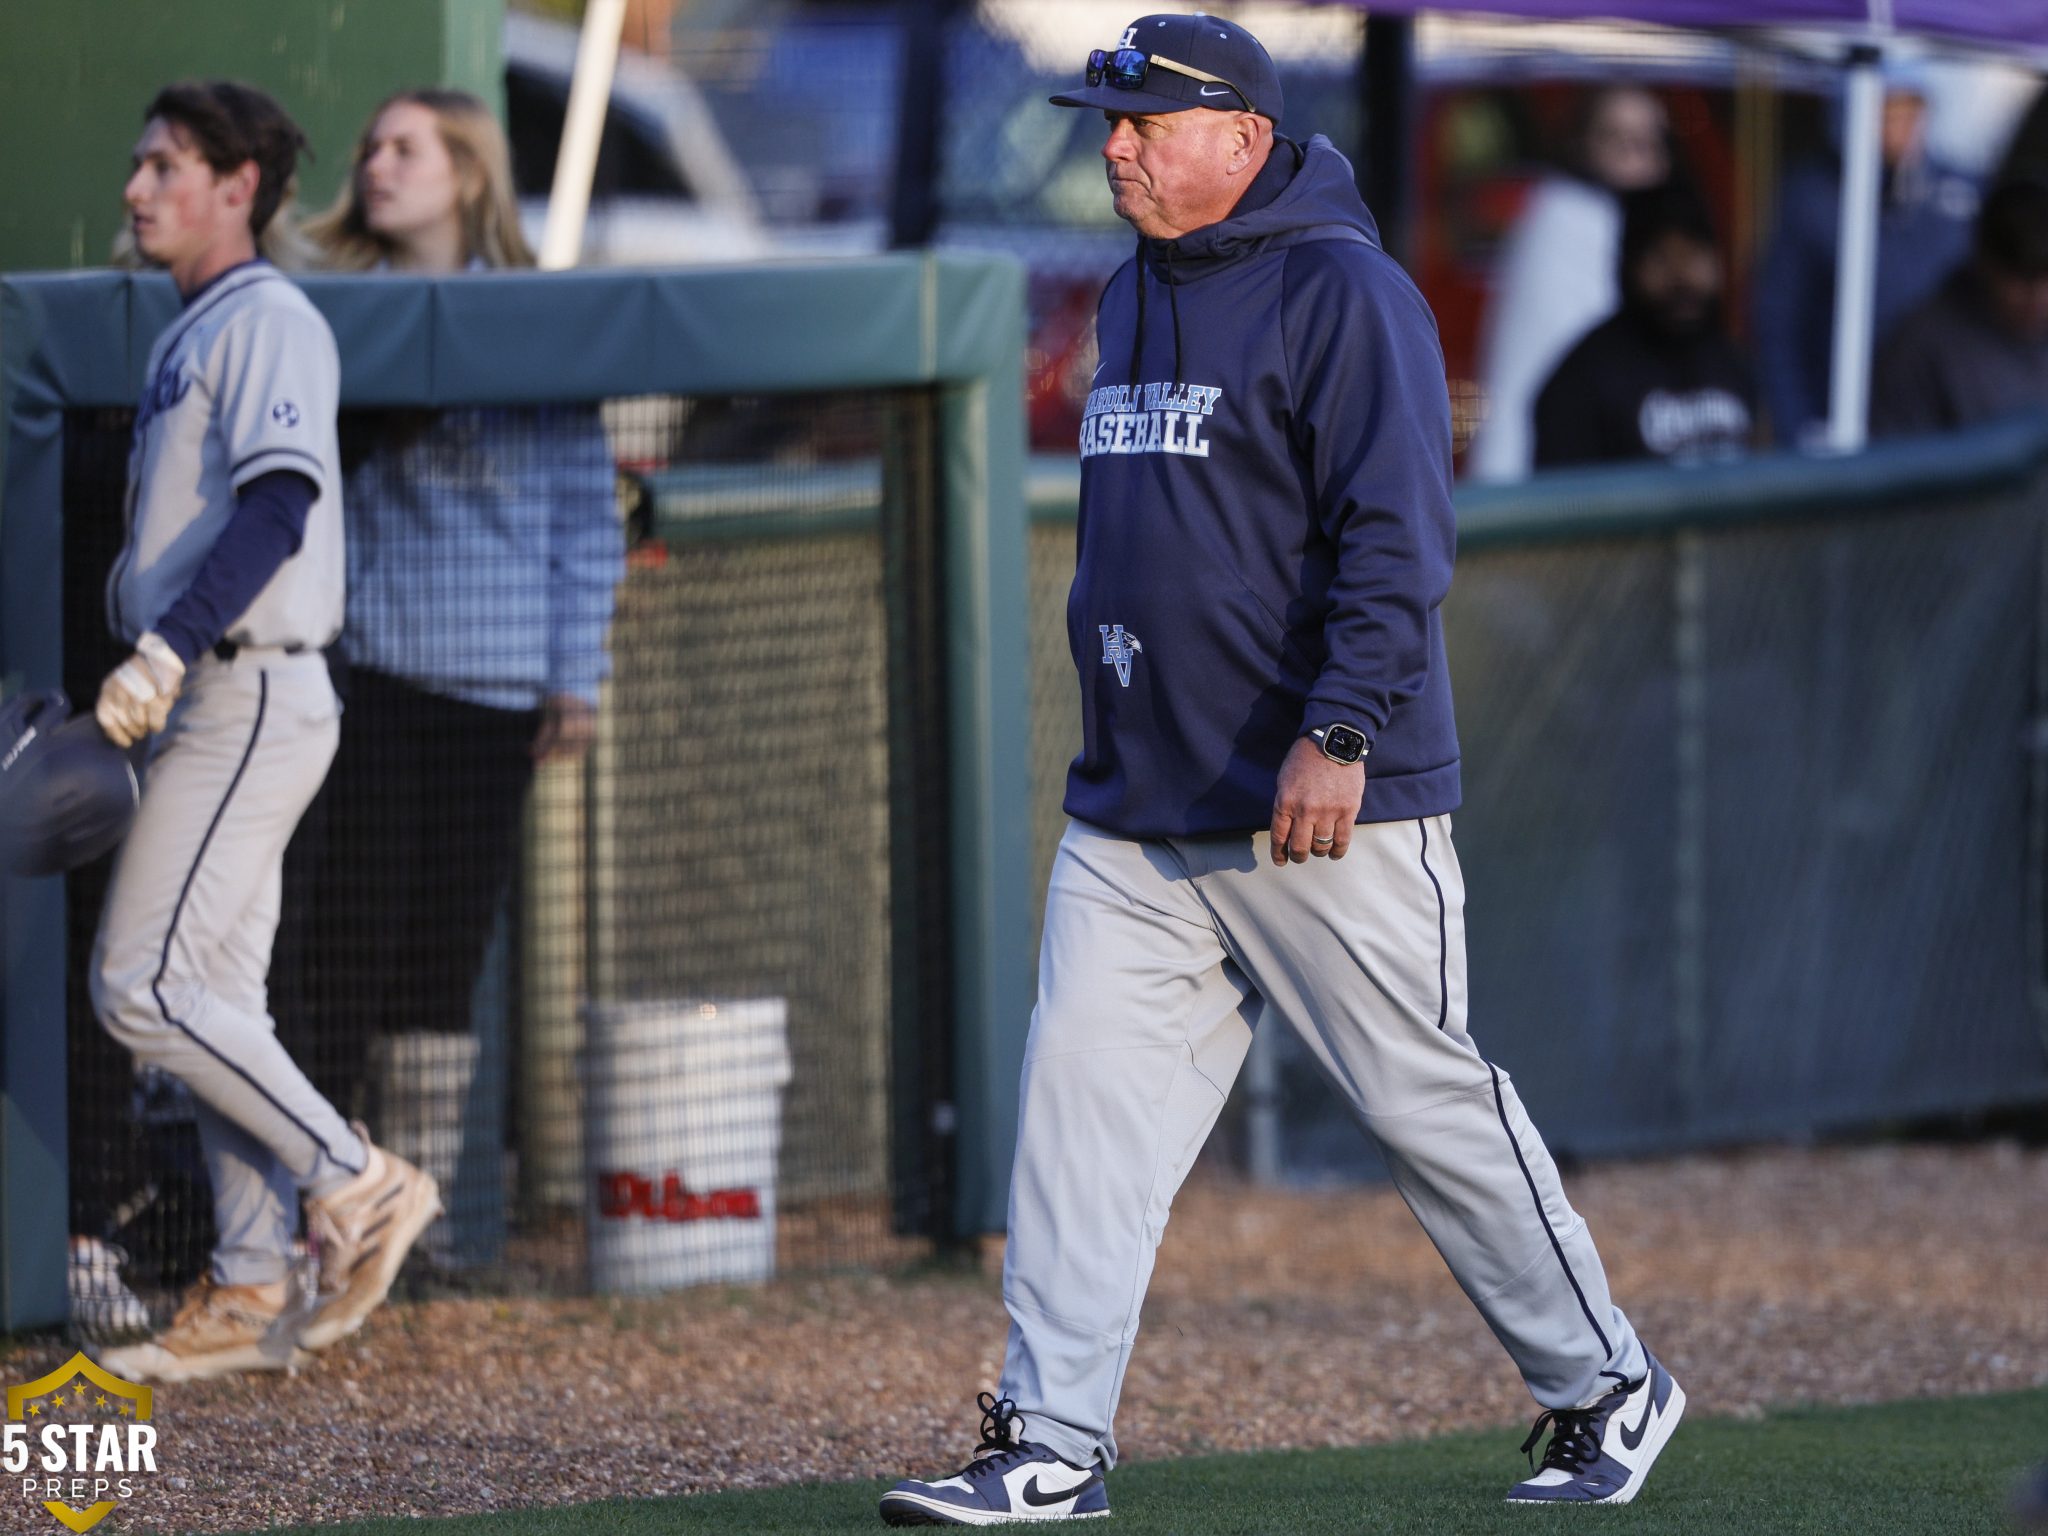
{"points": [[1555, 275]]}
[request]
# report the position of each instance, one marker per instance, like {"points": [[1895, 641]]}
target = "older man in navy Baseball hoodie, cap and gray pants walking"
{"points": [[1261, 812]]}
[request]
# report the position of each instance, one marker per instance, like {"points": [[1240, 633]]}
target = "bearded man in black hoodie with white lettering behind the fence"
{"points": [[1660, 380]]}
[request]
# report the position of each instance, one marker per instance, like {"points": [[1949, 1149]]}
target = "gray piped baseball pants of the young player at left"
{"points": [[183, 957]]}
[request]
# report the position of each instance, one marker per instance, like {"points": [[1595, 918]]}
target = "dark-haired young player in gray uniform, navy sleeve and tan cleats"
{"points": [[228, 587]]}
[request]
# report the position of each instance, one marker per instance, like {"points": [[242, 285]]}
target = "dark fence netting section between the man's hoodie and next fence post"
{"points": [[1562, 665]]}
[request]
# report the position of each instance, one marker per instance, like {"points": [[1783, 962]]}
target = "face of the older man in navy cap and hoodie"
{"points": [[1172, 173]]}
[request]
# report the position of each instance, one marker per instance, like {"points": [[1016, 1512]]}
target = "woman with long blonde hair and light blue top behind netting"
{"points": [[484, 550]]}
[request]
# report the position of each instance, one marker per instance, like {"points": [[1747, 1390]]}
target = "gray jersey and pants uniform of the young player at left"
{"points": [[245, 382]]}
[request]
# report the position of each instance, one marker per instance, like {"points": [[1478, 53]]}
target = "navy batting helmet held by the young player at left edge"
{"points": [[67, 792]]}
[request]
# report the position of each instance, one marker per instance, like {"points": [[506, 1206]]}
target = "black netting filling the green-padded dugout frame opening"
{"points": [[644, 1005]]}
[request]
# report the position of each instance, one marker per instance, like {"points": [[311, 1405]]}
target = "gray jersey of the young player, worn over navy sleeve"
{"points": [[243, 384]]}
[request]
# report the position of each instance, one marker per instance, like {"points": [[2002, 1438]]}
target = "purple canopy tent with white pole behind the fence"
{"points": [[1867, 26]]}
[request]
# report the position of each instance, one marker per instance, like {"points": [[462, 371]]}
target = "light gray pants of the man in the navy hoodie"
{"points": [[1160, 959]]}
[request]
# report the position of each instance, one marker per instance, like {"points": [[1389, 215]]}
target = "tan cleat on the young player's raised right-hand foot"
{"points": [[361, 1236]]}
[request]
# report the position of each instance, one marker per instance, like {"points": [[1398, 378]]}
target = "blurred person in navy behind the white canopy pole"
{"points": [[1924, 230]]}
